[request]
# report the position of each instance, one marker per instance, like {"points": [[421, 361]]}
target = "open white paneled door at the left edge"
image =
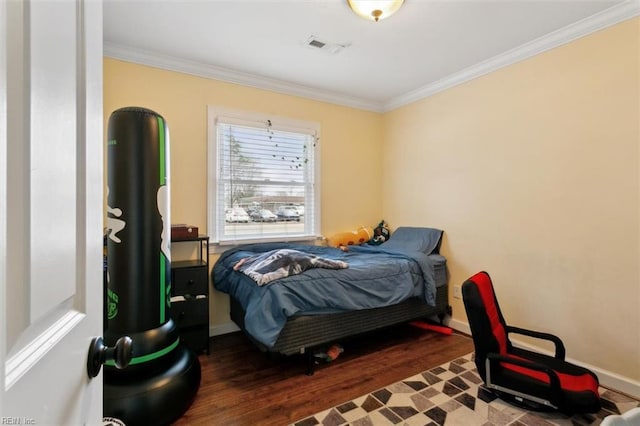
{"points": [[50, 210]]}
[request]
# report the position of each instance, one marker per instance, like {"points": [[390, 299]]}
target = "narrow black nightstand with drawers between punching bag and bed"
{"points": [[190, 295]]}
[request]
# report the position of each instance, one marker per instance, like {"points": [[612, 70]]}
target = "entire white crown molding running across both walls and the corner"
{"points": [[599, 21]]}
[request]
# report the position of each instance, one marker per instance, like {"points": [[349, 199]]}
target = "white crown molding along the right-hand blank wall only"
{"points": [[591, 24]]}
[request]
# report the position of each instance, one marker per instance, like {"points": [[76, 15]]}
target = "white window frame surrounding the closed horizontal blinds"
{"points": [[216, 114]]}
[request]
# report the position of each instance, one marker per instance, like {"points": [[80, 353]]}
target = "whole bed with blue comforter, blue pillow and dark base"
{"points": [[398, 281]]}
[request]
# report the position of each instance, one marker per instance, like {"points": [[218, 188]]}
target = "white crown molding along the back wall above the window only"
{"points": [[172, 63]]}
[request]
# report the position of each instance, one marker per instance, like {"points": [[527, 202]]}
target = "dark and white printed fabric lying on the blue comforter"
{"points": [[272, 265]]}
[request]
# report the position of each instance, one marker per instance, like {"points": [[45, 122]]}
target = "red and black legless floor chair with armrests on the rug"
{"points": [[520, 376]]}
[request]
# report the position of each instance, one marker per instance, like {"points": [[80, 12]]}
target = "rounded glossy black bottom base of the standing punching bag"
{"points": [[153, 397]]}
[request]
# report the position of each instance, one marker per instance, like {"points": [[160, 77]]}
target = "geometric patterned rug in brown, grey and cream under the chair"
{"points": [[449, 395]]}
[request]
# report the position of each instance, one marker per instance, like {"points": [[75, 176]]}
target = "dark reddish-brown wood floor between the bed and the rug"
{"points": [[243, 386]]}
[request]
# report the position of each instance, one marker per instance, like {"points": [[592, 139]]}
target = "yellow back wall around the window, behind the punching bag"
{"points": [[350, 144]]}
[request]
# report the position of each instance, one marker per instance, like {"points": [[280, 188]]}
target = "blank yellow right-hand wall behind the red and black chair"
{"points": [[532, 171]]}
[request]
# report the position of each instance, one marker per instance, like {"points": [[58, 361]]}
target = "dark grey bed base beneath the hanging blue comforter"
{"points": [[302, 333]]}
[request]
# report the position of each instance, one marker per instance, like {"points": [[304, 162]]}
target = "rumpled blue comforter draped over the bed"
{"points": [[376, 276]]}
